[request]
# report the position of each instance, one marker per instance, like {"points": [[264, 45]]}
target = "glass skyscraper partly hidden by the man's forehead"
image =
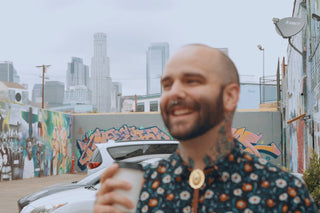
{"points": [[157, 56]]}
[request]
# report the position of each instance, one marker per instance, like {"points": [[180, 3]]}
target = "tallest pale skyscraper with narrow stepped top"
{"points": [[101, 82]]}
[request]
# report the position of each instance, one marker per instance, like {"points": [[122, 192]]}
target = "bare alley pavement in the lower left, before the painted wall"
{"points": [[11, 191]]}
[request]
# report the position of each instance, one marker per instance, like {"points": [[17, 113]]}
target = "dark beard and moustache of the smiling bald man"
{"points": [[210, 114]]}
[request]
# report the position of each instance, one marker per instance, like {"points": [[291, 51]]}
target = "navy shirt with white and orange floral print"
{"points": [[240, 182]]}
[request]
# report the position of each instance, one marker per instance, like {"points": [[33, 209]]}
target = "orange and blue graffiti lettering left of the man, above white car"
{"points": [[86, 146]]}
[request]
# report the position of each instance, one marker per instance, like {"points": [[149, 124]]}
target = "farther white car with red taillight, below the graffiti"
{"points": [[130, 151]]}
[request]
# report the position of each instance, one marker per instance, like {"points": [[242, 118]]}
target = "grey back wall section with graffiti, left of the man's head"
{"points": [[99, 128]]}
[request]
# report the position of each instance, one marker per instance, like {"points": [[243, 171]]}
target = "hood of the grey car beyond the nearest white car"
{"points": [[22, 202]]}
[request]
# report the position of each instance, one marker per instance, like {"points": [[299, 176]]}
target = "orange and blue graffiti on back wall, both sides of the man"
{"points": [[86, 146]]}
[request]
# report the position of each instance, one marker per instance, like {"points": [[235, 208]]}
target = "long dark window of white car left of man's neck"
{"points": [[129, 151]]}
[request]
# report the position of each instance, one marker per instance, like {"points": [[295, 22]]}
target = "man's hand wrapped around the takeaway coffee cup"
{"points": [[106, 197]]}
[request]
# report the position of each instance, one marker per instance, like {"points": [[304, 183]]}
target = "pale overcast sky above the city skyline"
{"points": [[36, 32]]}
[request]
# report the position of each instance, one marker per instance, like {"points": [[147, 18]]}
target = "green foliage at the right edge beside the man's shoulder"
{"points": [[311, 177]]}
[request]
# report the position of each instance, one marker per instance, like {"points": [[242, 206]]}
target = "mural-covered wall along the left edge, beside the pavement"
{"points": [[26, 142]]}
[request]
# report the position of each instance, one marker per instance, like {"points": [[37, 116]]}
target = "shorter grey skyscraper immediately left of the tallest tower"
{"points": [[77, 73]]}
